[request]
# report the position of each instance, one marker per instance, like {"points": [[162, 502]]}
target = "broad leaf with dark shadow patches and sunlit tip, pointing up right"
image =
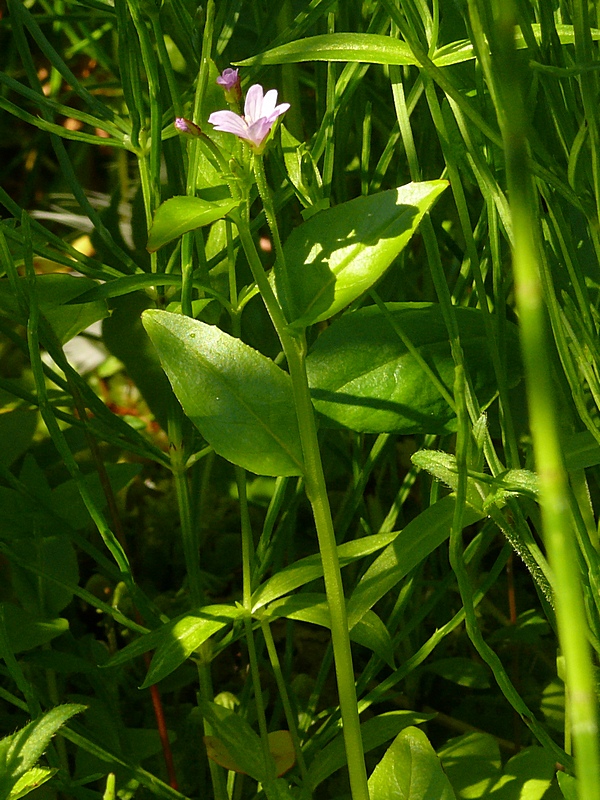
{"points": [[339, 253]]}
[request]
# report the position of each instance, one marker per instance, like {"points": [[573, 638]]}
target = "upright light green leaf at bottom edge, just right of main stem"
{"points": [[410, 770]]}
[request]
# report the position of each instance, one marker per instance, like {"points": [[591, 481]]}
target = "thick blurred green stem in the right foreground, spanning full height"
{"points": [[545, 427]]}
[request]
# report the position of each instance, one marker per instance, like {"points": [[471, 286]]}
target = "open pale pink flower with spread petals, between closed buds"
{"points": [[260, 112]]}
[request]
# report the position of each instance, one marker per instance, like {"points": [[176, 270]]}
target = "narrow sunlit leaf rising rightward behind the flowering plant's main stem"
{"points": [[310, 568]]}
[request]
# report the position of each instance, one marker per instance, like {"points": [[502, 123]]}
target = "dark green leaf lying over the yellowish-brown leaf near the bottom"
{"points": [[239, 740]]}
